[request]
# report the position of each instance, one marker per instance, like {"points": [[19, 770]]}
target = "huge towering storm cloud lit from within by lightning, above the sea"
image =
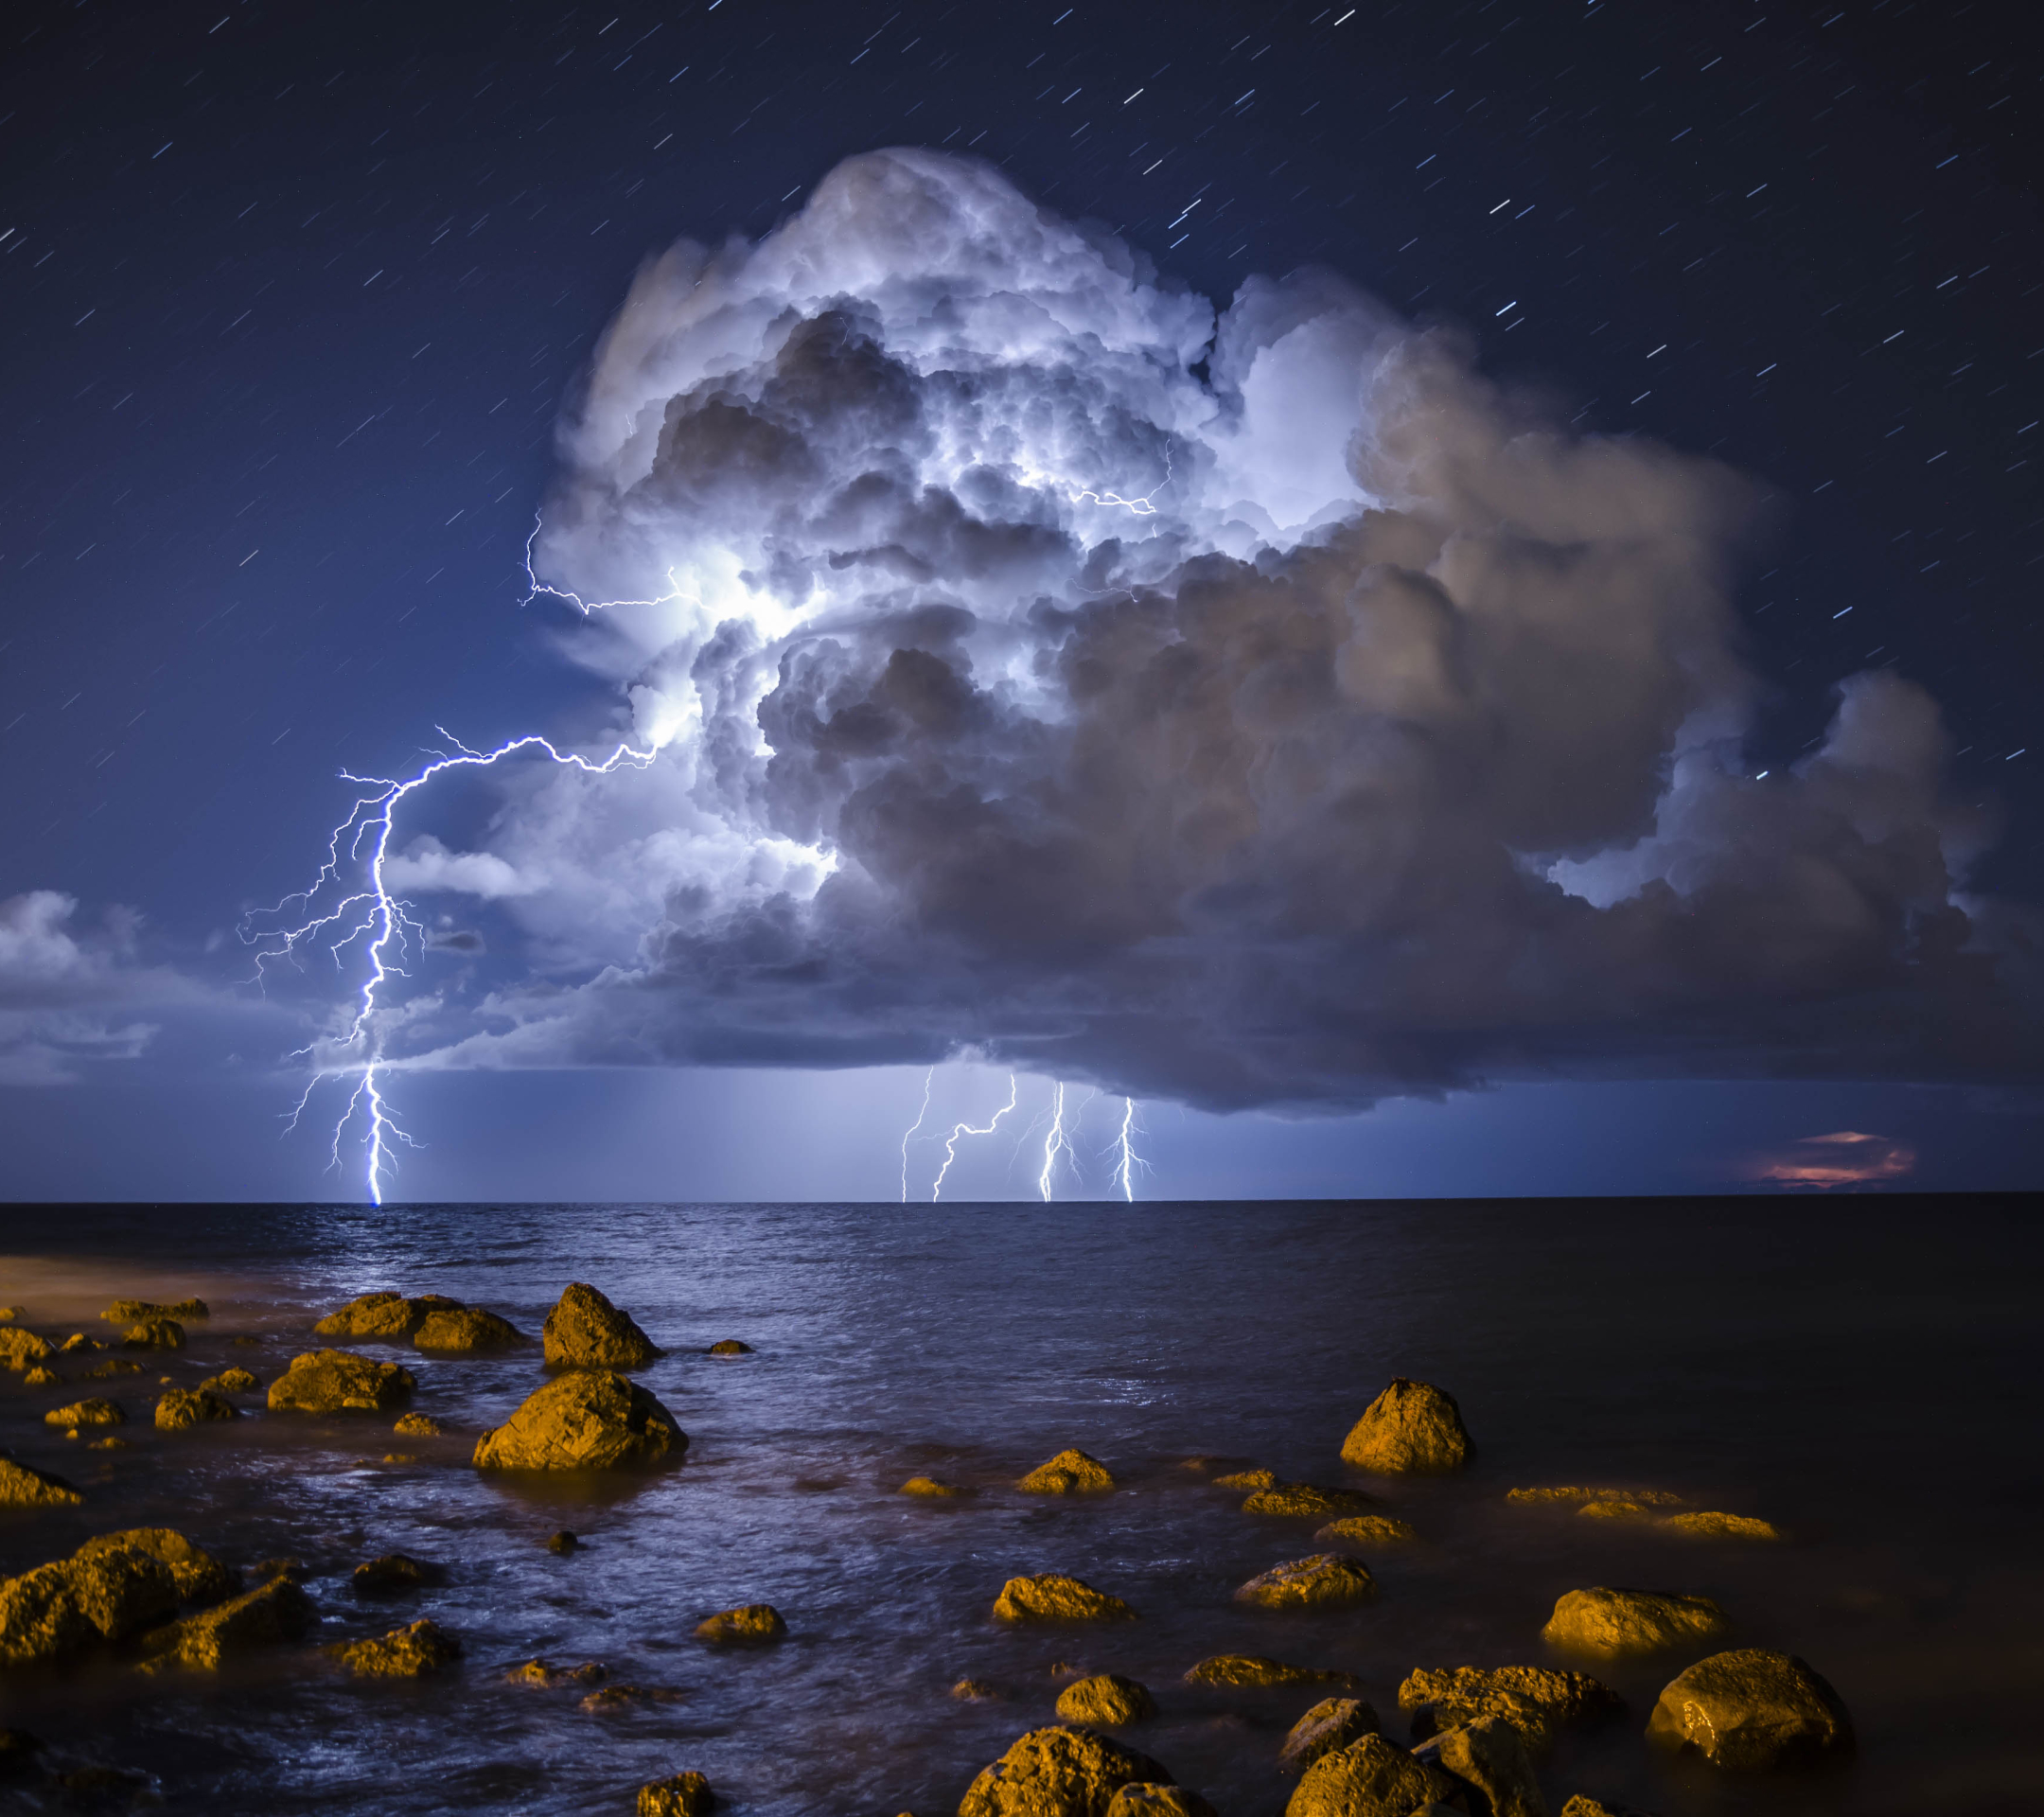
{"points": [[1246, 708]]}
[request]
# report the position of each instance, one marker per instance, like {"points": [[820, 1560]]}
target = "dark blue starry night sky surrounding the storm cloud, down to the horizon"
{"points": [[297, 299]]}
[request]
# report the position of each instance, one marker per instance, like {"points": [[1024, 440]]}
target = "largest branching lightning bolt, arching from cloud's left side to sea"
{"points": [[371, 913]]}
